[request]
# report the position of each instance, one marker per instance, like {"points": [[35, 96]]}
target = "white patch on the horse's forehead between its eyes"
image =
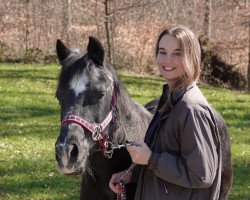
{"points": [[78, 83]]}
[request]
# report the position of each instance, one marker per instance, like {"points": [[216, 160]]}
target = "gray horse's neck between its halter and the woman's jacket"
{"points": [[133, 118]]}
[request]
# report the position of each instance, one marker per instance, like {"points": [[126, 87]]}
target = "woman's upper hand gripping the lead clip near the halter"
{"points": [[139, 153]]}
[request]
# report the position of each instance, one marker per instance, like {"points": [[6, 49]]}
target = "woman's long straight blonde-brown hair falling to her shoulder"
{"points": [[190, 47]]}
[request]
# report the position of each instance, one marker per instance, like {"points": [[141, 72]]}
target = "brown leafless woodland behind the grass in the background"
{"points": [[128, 30]]}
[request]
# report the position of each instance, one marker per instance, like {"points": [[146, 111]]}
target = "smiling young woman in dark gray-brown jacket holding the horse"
{"points": [[180, 159]]}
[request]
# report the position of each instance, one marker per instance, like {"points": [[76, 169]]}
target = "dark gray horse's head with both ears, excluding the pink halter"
{"points": [[85, 90]]}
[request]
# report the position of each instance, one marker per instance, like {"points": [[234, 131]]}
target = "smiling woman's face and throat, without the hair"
{"points": [[169, 59]]}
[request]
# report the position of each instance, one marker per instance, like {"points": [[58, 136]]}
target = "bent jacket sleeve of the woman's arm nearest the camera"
{"points": [[197, 165]]}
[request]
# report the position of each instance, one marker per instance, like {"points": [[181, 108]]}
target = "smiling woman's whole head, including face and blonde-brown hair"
{"points": [[178, 56]]}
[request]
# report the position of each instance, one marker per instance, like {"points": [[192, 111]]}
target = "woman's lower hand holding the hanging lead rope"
{"points": [[115, 178]]}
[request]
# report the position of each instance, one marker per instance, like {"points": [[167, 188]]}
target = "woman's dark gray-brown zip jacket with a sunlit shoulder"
{"points": [[186, 162]]}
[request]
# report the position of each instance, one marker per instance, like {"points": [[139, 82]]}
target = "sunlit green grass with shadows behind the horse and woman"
{"points": [[29, 126]]}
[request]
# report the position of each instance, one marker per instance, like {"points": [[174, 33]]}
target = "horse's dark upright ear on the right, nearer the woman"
{"points": [[95, 50]]}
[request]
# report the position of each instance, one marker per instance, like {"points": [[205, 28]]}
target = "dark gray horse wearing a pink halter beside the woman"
{"points": [[97, 115]]}
